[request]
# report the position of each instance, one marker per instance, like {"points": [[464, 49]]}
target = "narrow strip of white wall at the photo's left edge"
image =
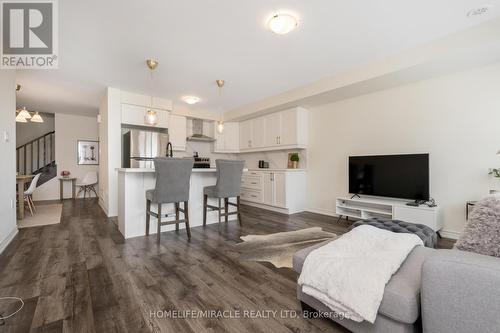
{"points": [[8, 228]]}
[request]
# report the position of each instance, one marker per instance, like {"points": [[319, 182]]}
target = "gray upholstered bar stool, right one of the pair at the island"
{"points": [[228, 186]]}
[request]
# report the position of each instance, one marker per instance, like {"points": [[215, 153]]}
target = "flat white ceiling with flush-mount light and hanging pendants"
{"points": [[105, 43]]}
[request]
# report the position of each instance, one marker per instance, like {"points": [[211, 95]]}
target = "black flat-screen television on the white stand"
{"points": [[395, 176]]}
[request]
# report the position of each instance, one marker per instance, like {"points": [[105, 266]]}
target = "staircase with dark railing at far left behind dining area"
{"points": [[38, 156]]}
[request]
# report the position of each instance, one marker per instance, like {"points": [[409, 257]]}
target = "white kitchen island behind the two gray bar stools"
{"points": [[132, 186]]}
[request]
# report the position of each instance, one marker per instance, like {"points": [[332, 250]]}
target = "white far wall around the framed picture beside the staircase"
{"points": [[69, 129]]}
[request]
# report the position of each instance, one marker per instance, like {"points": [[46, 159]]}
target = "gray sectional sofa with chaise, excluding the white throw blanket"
{"points": [[434, 291]]}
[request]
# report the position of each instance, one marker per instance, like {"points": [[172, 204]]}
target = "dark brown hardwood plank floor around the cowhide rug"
{"points": [[82, 276]]}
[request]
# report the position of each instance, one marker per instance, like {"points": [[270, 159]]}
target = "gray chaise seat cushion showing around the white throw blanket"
{"points": [[401, 299]]}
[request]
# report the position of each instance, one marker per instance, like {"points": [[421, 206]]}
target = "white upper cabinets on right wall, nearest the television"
{"points": [[281, 130]]}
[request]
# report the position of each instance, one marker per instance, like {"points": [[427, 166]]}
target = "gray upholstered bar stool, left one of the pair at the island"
{"points": [[172, 186]]}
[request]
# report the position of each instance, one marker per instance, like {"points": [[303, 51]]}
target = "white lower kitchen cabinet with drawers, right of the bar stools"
{"points": [[281, 190]]}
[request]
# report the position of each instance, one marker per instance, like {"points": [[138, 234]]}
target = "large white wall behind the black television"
{"points": [[455, 118]]}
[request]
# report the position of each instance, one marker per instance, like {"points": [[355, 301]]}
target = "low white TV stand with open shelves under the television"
{"points": [[393, 209]]}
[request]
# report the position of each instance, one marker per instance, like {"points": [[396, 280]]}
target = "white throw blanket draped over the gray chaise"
{"points": [[349, 274]]}
